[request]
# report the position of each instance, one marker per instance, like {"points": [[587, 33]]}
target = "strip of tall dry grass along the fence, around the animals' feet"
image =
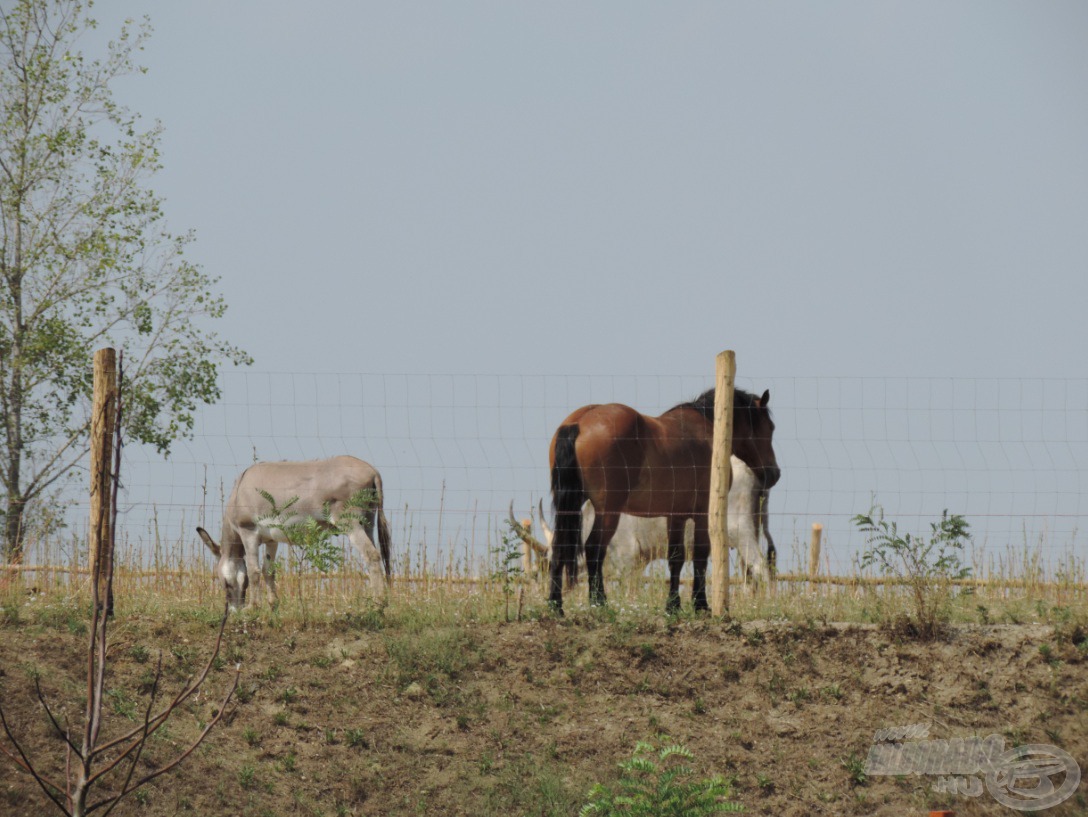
{"points": [[1017, 587]]}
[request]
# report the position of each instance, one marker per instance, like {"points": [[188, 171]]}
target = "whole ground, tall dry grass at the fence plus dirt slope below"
{"points": [[429, 702]]}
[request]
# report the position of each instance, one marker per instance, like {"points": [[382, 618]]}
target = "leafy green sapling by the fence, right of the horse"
{"points": [[928, 566]]}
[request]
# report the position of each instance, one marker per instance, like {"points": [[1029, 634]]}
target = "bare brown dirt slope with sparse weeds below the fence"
{"points": [[397, 713]]}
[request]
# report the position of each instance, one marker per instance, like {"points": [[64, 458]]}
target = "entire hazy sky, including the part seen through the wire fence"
{"points": [[510, 208]]}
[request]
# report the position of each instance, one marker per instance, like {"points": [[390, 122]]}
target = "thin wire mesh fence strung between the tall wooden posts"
{"points": [[1011, 455]]}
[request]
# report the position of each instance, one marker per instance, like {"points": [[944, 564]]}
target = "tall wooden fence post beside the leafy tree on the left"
{"points": [[103, 422]]}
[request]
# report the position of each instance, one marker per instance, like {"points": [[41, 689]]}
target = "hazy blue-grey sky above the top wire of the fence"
{"points": [[836, 189]]}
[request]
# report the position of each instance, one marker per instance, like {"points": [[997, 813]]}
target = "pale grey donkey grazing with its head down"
{"points": [[343, 493]]}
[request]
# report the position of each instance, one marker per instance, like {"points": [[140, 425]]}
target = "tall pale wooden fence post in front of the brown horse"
{"points": [[722, 476]]}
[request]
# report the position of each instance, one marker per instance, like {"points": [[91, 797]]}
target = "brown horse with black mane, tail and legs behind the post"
{"points": [[627, 463]]}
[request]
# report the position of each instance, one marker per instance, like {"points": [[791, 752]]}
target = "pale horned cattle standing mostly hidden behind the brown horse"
{"points": [[642, 540]]}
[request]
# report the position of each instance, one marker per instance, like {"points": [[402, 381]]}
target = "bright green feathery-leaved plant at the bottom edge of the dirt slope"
{"points": [[659, 782]]}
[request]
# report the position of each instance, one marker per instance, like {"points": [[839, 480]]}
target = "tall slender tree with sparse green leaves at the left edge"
{"points": [[86, 261]]}
